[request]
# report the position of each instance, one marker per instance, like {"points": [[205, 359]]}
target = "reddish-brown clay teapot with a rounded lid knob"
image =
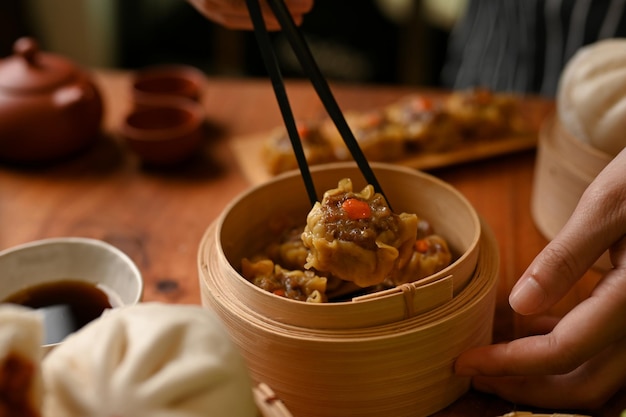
{"points": [[49, 108]]}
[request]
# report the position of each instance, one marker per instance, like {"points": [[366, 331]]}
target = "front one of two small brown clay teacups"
{"points": [[165, 132]]}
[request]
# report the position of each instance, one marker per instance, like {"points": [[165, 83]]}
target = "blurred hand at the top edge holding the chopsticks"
{"points": [[233, 14]]}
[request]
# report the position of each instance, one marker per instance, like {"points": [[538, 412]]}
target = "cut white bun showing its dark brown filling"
{"points": [[21, 335]]}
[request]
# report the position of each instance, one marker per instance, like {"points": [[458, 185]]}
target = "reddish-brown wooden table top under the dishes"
{"points": [[159, 216]]}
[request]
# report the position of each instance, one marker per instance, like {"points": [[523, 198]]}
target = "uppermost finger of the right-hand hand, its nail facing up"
{"points": [[597, 224]]}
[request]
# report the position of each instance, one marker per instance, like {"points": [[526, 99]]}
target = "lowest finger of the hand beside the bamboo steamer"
{"points": [[572, 390]]}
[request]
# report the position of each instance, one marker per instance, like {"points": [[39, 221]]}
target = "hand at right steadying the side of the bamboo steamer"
{"points": [[580, 361]]}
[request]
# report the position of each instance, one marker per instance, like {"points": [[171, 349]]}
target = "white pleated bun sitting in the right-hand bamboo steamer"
{"points": [[591, 98]]}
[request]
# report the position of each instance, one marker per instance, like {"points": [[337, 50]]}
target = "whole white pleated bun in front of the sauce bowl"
{"points": [[148, 360]]}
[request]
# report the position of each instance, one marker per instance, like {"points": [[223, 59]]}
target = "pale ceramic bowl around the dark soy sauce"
{"points": [[47, 263]]}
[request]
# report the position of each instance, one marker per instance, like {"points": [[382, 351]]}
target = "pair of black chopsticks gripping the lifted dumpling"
{"points": [[319, 83]]}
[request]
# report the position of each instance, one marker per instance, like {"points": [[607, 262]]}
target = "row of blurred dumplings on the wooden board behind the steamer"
{"points": [[414, 124]]}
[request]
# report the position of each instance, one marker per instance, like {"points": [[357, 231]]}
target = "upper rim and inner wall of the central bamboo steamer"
{"points": [[383, 307]]}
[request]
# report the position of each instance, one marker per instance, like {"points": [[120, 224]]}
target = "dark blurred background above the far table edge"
{"points": [[351, 40]]}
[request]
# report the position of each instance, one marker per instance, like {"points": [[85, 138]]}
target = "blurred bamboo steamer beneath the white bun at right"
{"points": [[565, 166]]}
